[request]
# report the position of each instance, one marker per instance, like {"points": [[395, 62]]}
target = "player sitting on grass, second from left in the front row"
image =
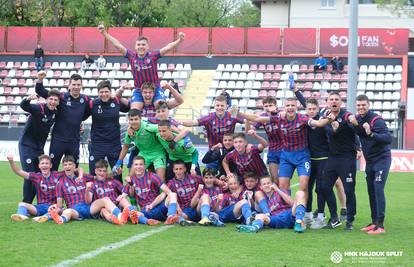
{"points": [[73, 192]]}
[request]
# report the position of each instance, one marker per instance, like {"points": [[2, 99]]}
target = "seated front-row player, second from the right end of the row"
{"points": [[235, 203]]}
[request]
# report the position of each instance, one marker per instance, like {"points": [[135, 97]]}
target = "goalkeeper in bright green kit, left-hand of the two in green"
{"points": [[146, 141]]}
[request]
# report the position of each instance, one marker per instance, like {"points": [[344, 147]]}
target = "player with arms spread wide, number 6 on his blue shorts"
{"points": [[295, 153]]}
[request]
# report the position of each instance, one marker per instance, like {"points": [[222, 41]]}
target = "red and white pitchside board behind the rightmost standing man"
{"points": [[402, 161]]}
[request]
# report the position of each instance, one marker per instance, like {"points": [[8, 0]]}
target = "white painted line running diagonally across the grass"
{"points": [[113, 246]]}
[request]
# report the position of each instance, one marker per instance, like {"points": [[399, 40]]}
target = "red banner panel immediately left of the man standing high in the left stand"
{"points": [[21, 39]]}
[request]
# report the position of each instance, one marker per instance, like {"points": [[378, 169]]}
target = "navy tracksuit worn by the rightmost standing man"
{"points": [[377, 153]]}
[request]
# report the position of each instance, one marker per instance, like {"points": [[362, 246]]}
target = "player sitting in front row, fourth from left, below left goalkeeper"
{"points": [[145, 187]]}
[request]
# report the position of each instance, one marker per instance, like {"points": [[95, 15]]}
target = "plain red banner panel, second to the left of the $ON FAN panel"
{"points": [[263, 40]]}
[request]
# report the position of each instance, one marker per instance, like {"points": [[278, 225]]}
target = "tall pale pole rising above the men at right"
{"points": [[352, 56]]}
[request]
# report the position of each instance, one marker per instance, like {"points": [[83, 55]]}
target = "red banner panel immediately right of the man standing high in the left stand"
{"points": [[56, 39]]}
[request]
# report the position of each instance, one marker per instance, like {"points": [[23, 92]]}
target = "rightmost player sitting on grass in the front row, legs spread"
{"points": [[280, 211]]}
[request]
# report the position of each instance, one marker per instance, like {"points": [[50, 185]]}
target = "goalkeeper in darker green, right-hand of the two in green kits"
{"points": [[176, 150]]}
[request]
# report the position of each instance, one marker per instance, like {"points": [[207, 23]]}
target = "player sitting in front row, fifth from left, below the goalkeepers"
{"points": [[185, 185]]}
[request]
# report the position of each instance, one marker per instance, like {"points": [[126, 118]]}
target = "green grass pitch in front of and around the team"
{"points": [[31, 244]]}
